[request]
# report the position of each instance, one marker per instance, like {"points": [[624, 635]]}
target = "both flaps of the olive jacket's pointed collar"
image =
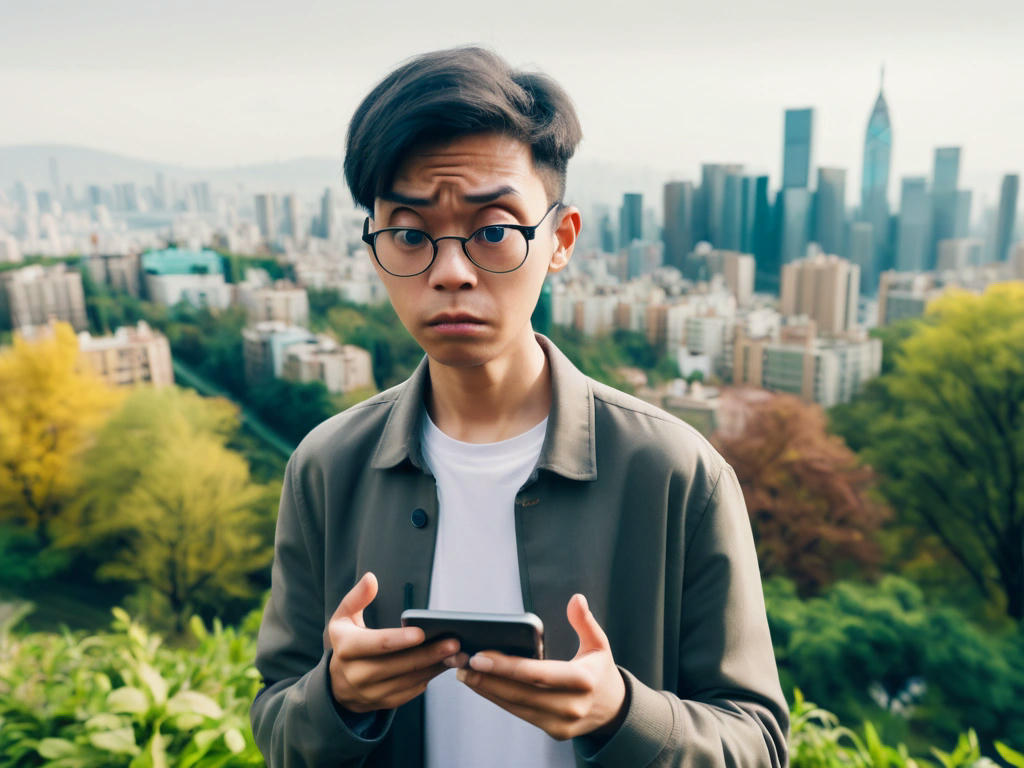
{"points": [[569, 449]]}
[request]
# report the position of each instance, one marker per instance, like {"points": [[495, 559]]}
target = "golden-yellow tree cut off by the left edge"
{"points": [[51, 407]]}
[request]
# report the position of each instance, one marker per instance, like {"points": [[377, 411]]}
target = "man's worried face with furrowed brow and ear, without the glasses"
{"points": [[460, 315]]}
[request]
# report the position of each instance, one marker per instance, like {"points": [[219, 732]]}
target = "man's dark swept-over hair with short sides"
{"points": [[443, 96]]}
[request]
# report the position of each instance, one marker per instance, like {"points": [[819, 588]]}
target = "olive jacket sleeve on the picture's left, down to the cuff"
{"points": [[295, 722]]}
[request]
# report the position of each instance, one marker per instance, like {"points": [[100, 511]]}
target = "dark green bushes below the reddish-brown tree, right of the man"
{"points": [[880, 653]]}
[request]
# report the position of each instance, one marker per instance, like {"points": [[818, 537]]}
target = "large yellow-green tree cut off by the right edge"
{"points": [[947, 436]]}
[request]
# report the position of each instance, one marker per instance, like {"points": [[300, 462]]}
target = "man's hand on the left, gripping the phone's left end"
{"points": [[380, 669]]}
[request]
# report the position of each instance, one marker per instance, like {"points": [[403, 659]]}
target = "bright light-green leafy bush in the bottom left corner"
{"points": [[123, 699]]}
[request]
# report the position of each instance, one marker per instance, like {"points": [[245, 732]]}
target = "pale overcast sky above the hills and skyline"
{"points": [[667, 84]]}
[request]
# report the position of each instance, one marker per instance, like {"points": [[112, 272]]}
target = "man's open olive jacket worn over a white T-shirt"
{"points": [[627, 505]]}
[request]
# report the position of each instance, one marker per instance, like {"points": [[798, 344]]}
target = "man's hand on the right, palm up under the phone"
{"points": [[565, 699]]}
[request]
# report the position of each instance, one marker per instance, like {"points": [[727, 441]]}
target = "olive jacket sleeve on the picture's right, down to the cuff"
{"points": [[729, 709]]}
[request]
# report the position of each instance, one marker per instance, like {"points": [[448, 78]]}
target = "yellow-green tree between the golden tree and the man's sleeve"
{"points": [[176, 508]]}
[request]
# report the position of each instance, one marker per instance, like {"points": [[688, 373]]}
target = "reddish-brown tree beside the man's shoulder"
{"points": [[807, 496]]}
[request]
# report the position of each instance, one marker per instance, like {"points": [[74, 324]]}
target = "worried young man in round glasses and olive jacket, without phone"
{"points": [[499, 479]]}
